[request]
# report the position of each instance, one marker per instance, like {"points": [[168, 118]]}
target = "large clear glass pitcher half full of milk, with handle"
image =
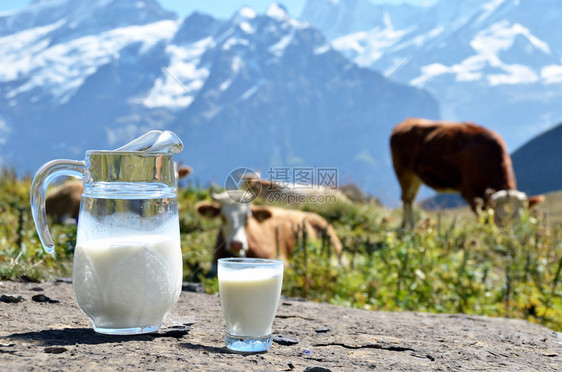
{"points": [[127, 261]]}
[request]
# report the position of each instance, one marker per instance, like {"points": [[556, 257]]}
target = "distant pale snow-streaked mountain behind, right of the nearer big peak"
{"points": [[495, 62]]}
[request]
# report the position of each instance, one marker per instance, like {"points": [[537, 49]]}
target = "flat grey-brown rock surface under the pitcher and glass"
{"points": [[58, 336]]}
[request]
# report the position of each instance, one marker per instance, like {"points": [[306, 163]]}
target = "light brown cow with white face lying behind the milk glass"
{"points": [[254, 231]]}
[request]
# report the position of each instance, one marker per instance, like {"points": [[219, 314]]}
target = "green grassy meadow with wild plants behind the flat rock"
{"points": [[452, 262]]}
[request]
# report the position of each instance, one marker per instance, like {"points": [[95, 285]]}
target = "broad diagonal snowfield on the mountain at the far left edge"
{"points": [[53, 69]]}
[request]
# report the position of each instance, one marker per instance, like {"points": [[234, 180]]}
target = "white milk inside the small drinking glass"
{"points": [[249, 300]]}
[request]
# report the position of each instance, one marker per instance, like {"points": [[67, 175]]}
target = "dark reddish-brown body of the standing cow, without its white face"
{"points": [[448, 156]]}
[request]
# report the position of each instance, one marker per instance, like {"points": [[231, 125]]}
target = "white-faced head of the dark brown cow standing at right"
{"points": [[508, 205]]}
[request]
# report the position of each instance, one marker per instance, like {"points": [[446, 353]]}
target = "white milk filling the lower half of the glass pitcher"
{"points": [[128, 281]]}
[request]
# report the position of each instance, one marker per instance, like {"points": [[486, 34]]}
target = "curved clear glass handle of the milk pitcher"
{"points": [[41, 181]]}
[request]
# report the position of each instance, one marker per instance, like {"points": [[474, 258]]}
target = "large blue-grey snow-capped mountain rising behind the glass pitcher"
{"points": [[256, 90]]}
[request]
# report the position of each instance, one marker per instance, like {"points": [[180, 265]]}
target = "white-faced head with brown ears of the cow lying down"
{"points": [[235, 217]]}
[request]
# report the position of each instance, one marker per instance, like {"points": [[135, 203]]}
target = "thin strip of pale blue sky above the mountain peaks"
{"points": [[218, 8]]}
